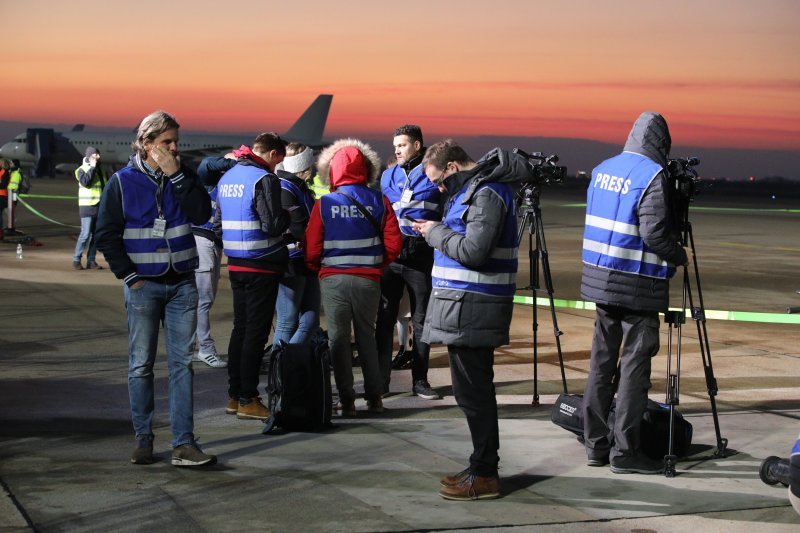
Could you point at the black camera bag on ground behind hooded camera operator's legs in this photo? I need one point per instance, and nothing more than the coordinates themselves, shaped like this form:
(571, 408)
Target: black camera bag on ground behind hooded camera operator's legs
(568, 414)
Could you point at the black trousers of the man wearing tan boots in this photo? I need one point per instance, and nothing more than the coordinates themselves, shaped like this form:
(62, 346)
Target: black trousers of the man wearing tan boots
(254, 296)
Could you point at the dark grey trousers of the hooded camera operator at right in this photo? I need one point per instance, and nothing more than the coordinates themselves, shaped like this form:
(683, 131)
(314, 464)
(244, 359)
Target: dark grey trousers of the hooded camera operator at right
(636, 333)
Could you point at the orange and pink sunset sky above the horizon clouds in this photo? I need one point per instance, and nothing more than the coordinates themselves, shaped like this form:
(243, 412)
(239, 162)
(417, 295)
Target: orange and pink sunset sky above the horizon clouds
(725, 73)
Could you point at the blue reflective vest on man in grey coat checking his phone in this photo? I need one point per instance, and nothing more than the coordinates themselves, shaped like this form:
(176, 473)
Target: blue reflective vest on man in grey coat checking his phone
(498, 275)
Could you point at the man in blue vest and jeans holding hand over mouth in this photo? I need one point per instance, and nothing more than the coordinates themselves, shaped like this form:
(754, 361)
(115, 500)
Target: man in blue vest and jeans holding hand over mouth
(144, 231)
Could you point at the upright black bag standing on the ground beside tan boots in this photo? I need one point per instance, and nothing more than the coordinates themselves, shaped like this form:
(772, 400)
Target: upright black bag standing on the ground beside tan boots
(299, 387)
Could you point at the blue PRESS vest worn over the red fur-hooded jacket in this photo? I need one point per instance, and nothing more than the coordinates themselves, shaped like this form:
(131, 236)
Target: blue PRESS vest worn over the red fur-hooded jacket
(350, 240)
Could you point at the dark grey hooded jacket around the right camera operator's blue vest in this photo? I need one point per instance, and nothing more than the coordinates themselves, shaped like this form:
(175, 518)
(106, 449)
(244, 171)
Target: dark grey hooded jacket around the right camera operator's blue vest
(649, 137)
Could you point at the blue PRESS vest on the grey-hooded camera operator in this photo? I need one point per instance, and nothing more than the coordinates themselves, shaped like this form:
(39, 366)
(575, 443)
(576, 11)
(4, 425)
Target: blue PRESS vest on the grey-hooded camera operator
(611, 238)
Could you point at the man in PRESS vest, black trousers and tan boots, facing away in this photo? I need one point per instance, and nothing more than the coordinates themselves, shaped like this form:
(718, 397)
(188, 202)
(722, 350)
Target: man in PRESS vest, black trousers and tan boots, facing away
(251, 222)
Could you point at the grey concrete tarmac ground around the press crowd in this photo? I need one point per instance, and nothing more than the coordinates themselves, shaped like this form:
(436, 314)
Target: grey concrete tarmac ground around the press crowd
(66, 436)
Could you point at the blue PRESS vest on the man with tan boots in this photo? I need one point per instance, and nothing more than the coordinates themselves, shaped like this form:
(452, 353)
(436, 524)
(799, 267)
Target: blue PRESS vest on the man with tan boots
(242, 236)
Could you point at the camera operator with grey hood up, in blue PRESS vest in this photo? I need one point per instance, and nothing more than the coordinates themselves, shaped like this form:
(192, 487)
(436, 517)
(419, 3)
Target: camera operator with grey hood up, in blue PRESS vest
(630, 249)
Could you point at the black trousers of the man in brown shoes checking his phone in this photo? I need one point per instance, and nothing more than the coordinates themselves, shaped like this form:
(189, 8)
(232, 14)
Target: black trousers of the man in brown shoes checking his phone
(472, 373)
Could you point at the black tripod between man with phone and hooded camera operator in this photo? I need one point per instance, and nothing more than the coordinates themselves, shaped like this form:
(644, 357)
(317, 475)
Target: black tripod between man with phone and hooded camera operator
(532, 218)
